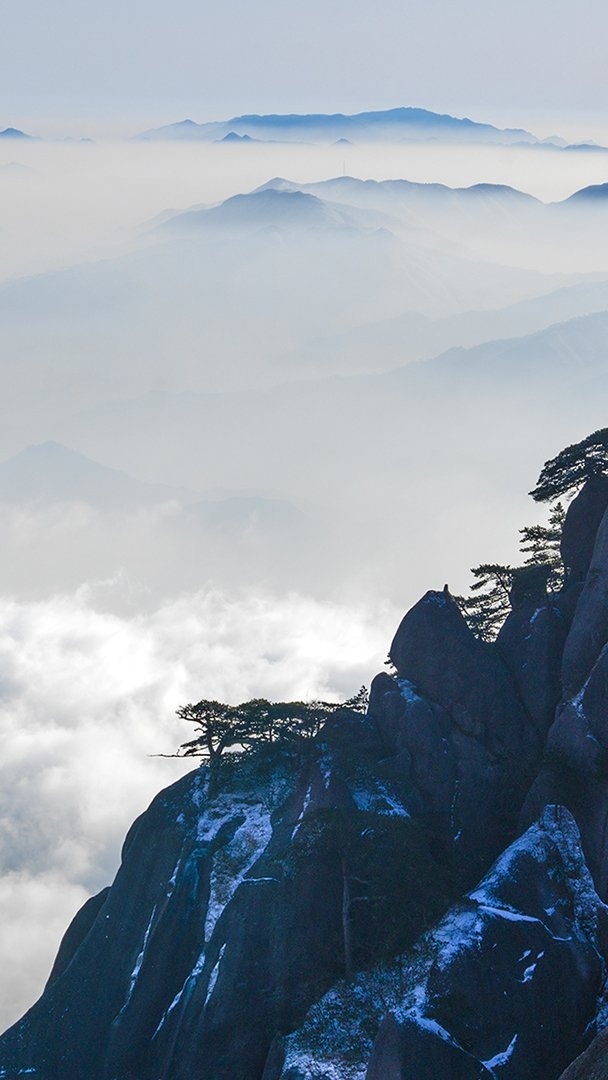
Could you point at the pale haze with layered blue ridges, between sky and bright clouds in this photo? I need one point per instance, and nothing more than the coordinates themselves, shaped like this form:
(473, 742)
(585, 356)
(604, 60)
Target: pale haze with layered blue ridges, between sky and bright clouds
(239, 346)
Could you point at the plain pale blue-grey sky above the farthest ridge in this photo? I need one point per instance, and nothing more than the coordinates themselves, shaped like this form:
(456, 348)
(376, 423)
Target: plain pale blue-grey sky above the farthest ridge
(94, 67)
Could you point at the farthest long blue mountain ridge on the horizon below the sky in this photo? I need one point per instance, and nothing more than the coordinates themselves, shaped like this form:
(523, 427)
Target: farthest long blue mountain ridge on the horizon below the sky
(404, 124)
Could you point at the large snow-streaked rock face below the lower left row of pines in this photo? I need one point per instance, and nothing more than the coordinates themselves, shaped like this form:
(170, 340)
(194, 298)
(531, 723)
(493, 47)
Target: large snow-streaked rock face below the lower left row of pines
(232, 913)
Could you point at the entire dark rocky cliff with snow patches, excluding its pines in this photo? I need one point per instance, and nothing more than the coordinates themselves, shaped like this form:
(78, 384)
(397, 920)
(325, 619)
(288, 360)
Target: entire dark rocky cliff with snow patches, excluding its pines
(418, 893)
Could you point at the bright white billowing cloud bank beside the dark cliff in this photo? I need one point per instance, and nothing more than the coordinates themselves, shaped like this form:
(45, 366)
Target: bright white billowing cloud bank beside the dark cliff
(86, 697)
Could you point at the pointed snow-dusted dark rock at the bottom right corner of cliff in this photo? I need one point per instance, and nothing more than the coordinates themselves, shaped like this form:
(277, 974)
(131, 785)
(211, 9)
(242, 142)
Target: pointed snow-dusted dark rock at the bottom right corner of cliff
(504, 987)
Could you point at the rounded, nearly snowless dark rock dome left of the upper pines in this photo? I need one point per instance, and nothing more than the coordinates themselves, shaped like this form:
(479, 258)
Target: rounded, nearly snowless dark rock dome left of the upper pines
(454, 715)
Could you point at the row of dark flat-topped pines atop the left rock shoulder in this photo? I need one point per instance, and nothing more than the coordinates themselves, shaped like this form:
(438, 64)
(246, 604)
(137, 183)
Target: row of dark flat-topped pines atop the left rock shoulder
(253, 724)
